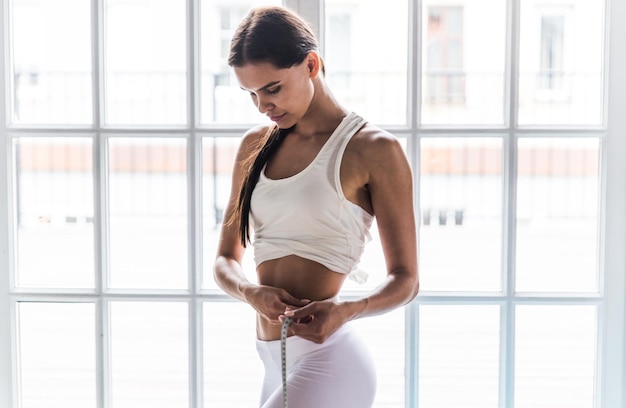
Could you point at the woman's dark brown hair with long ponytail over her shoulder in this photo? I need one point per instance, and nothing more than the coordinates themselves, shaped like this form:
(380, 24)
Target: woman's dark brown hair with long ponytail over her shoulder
(280, 37)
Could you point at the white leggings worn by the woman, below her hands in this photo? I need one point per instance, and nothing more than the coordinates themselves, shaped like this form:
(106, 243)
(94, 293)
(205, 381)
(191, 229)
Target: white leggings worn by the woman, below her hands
(338, 373)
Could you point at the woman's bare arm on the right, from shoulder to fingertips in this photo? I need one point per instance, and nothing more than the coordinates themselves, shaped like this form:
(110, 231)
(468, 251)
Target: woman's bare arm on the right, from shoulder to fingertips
(390, 185)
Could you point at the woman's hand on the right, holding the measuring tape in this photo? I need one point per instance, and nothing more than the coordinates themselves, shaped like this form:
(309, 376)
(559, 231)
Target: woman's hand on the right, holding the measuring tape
(315, 321)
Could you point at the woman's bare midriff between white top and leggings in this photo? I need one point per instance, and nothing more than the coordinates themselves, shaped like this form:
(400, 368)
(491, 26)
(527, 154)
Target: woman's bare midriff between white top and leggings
(302, 278)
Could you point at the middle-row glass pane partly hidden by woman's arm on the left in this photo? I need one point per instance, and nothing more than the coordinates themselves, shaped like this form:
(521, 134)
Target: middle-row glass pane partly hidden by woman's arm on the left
(218, 158)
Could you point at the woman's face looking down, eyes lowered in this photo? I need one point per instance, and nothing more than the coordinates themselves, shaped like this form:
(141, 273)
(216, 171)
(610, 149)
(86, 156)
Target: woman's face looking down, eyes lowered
(283, 94)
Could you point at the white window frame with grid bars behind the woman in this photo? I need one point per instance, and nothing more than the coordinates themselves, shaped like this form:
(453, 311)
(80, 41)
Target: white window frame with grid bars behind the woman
(611, 363)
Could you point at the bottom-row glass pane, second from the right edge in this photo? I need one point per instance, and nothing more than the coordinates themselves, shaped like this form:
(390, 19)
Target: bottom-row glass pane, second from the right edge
(459, 350)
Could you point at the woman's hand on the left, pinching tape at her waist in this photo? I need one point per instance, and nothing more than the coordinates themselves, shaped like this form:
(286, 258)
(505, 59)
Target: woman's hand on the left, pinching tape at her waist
(271, 302)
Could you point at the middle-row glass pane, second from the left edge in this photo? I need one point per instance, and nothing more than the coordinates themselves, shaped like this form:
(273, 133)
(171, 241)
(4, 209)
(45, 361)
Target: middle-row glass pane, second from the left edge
(148, 213)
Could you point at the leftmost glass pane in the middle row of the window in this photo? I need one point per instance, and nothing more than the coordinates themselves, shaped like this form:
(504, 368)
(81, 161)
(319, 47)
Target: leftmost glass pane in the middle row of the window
(54, 197)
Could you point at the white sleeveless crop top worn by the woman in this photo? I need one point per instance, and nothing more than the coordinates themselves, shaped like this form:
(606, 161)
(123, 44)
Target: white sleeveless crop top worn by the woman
(308, 215)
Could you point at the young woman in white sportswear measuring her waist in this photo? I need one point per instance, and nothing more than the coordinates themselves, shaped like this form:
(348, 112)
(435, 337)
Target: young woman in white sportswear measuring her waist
(308, 187)
